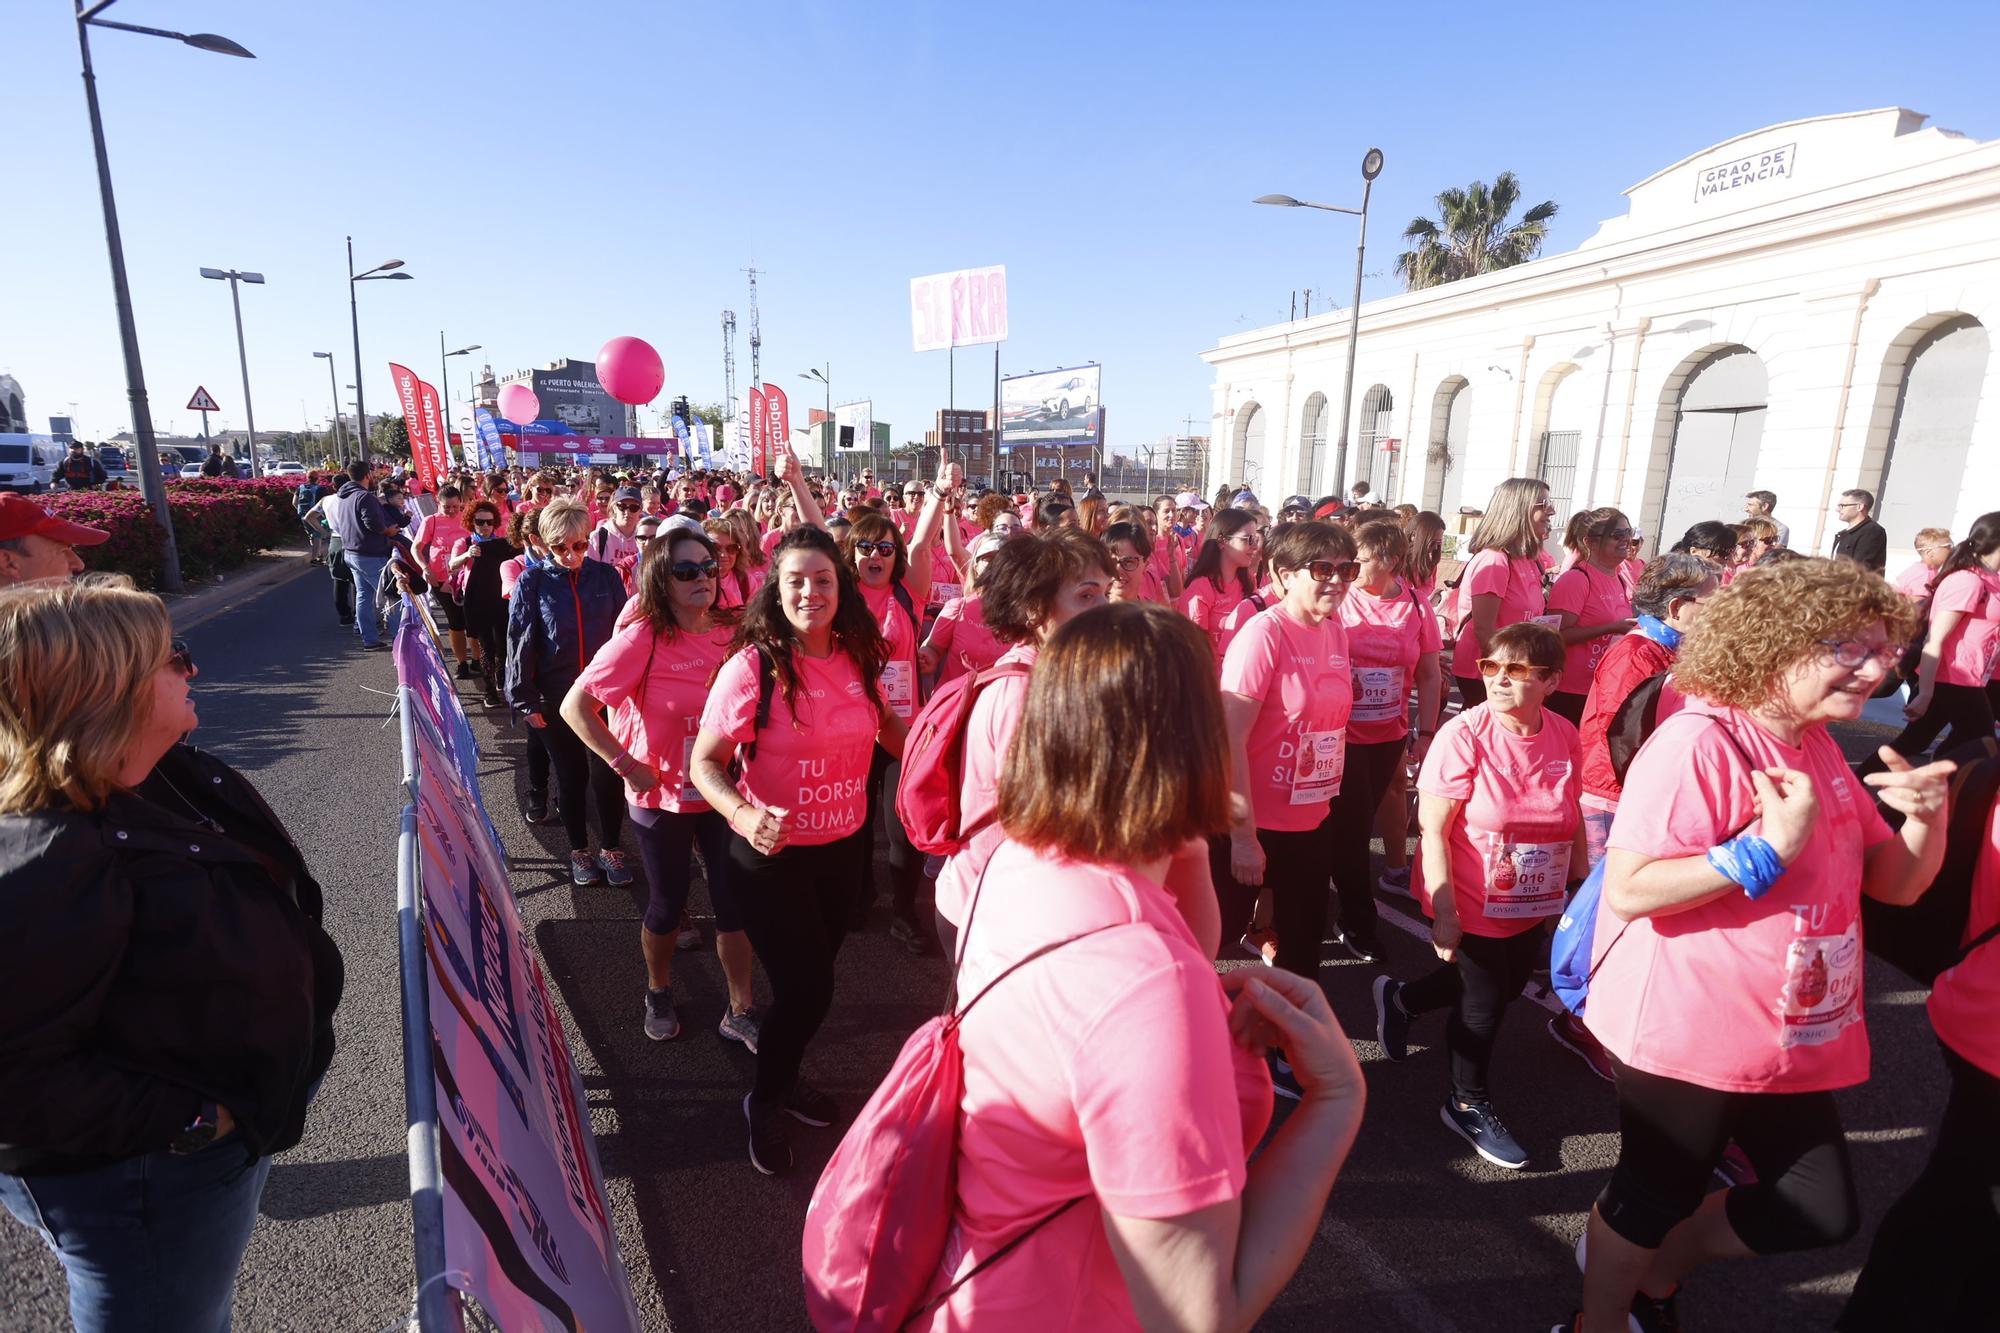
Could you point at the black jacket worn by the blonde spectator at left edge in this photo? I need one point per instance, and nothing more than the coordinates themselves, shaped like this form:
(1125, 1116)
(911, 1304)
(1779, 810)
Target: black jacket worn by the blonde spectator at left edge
(153, 966)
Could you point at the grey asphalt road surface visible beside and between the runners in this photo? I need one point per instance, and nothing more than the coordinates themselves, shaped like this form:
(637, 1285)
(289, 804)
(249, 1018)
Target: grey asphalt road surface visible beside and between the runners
(1421, 1236)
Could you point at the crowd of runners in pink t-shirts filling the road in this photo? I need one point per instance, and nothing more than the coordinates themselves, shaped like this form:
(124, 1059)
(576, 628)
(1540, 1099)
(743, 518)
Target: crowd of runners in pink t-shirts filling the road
(1123, 742)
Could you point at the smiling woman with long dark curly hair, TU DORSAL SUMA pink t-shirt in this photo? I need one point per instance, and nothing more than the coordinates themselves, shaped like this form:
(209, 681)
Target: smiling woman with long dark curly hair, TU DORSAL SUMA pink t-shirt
(801, 706)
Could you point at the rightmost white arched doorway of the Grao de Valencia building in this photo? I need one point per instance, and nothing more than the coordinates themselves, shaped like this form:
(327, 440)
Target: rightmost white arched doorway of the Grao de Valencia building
(1931, 437)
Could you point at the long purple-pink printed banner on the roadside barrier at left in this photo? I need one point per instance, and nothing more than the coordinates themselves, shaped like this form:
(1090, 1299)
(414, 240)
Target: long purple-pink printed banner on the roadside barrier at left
(525, 1224)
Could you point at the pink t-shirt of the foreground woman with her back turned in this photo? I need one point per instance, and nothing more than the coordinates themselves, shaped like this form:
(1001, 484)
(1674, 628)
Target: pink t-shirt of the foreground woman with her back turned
(1099, 1072)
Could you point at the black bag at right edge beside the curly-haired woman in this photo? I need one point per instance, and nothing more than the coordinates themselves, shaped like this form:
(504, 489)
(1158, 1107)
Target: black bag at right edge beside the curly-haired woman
(1923, 938)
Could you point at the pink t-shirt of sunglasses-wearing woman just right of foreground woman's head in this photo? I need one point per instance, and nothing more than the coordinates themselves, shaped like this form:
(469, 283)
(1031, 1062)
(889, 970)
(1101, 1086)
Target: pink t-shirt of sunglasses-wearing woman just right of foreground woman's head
(1299, 744)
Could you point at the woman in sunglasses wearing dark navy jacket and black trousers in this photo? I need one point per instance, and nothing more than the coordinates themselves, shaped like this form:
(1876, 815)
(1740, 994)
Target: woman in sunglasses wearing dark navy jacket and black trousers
(561, 617)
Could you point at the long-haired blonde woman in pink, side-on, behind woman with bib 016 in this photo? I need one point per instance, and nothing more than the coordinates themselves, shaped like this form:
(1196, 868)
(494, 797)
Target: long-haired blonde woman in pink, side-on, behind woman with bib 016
(1503, 581)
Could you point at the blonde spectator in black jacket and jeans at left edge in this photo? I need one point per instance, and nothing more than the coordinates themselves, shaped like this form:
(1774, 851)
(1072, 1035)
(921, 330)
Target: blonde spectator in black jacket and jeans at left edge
(169, 992)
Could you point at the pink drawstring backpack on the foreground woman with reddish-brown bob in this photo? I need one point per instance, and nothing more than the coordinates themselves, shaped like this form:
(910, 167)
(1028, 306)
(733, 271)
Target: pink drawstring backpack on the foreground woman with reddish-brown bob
(883, 1210)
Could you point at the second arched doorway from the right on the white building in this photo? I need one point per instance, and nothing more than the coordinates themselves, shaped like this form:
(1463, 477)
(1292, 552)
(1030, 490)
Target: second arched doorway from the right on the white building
(1719, 427)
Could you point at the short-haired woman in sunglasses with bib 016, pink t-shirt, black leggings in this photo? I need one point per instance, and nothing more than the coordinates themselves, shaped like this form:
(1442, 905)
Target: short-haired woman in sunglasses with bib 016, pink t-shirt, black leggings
(1503, 840)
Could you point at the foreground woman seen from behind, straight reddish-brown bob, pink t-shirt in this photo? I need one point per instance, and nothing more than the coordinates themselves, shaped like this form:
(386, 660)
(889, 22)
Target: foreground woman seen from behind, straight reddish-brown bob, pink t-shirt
(1115, 1070)
